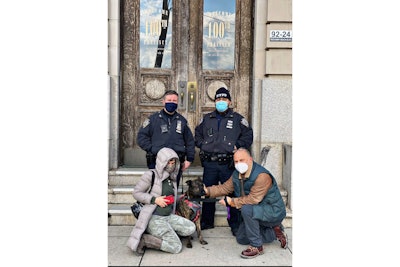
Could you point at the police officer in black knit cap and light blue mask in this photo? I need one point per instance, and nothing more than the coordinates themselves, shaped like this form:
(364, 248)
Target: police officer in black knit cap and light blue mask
(219, 135)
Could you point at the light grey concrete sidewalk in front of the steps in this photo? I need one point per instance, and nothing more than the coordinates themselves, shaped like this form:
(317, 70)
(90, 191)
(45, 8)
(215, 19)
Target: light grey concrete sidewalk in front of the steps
(221, 250)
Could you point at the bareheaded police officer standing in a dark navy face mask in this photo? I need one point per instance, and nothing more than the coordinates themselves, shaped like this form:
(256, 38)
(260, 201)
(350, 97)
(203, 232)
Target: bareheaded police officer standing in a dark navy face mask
(167, 128)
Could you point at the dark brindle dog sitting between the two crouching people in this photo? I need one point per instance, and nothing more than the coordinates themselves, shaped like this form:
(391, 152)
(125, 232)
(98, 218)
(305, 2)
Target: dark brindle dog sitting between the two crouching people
(191, 209)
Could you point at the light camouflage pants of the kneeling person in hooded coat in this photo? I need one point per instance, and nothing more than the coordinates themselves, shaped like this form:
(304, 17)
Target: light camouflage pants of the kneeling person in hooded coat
(168, 228)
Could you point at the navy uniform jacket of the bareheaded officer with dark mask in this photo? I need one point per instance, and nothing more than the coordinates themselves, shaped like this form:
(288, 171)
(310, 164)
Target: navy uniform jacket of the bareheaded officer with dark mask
(159, 131)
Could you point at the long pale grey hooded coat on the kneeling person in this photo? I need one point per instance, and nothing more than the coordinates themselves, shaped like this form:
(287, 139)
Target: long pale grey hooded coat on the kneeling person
(140, 193)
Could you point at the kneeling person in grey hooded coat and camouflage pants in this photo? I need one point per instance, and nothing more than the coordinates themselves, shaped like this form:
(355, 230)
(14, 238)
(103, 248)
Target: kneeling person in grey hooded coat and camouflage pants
(158, 226)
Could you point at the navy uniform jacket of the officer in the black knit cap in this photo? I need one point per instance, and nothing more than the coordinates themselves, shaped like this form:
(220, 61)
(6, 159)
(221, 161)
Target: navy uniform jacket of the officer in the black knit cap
(234, 130)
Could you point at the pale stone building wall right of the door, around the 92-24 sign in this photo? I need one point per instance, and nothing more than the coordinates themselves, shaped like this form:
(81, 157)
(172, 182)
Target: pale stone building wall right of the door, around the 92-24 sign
(272, 88)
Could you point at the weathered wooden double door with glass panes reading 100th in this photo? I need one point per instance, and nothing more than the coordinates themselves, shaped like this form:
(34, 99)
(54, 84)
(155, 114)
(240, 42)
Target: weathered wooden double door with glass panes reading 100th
(191, 46)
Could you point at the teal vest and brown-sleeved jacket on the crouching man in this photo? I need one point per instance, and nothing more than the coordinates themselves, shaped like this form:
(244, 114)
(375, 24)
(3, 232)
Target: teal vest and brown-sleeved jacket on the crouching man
(266, 197)
